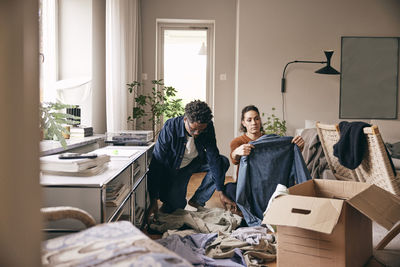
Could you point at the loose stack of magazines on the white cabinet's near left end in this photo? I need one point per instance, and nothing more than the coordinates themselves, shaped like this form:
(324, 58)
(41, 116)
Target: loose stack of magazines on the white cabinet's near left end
(74, 167)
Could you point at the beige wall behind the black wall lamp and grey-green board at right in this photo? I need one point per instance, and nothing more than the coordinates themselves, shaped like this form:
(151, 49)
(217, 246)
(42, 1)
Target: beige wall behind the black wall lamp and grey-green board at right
(274, 32)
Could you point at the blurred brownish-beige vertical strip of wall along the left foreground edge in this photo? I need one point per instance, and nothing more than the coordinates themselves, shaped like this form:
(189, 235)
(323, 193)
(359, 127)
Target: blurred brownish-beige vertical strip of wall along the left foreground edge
(20, 220)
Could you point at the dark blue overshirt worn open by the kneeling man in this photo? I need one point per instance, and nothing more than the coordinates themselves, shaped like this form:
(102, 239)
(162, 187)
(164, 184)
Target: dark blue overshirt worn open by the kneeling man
(170, 148)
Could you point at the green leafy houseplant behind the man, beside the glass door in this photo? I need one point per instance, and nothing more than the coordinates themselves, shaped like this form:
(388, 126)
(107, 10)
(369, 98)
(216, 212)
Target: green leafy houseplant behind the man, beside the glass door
(160, 102)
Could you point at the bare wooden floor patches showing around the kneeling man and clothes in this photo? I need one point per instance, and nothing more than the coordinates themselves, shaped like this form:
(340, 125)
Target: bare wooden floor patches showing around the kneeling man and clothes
(214, 202)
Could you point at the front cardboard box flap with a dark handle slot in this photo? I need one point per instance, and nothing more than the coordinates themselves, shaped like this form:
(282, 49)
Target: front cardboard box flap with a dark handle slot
(317, 214)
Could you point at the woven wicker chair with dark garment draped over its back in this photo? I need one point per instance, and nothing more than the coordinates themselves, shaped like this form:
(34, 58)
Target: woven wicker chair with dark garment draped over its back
(375, 167)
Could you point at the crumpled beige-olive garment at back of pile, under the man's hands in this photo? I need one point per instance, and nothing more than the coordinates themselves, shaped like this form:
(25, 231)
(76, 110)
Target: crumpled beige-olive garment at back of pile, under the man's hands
(203, 221)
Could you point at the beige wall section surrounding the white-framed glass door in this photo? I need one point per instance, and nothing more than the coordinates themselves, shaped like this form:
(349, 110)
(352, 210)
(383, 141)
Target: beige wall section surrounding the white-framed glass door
(224, 14)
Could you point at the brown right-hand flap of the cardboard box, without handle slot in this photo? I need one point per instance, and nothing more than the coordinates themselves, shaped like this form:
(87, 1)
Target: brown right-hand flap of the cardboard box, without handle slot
(379, 205)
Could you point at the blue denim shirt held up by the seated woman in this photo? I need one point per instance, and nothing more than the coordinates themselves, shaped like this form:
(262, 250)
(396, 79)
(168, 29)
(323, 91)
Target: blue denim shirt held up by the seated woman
(274, 160)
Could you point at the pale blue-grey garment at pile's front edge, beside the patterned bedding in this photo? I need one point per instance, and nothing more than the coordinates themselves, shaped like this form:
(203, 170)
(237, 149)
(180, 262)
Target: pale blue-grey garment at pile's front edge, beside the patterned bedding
(192, 248)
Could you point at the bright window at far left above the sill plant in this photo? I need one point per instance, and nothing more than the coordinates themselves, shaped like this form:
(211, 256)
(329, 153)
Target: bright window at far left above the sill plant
(66, 53)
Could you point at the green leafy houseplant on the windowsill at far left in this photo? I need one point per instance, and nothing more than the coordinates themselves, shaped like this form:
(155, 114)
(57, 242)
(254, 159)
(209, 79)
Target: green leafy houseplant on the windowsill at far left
(53, 121)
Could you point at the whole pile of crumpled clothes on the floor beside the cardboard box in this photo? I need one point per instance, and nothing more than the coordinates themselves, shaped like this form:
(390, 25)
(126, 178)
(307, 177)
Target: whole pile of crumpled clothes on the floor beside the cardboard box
(213, 237)
